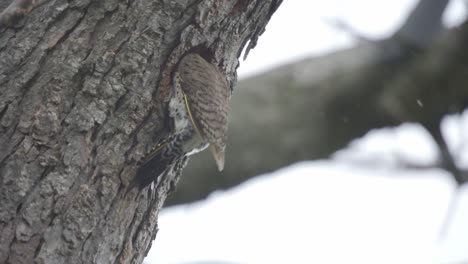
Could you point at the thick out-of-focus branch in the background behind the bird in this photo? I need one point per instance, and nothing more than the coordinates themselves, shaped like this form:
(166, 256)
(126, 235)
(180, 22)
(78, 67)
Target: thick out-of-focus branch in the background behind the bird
(312, 108)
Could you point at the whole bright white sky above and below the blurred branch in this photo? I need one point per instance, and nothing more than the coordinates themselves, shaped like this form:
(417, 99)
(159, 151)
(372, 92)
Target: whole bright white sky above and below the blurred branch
(339, 211)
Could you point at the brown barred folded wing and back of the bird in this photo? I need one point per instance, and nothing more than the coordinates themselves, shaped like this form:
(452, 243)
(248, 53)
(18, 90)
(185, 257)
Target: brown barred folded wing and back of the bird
(207, 95)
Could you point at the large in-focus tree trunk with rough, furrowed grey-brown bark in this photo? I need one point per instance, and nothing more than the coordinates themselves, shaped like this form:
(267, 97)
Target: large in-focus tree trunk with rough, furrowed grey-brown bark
(83, 88)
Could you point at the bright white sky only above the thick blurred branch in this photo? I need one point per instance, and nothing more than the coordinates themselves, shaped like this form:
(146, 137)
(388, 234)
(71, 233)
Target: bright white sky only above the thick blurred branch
(301, 28)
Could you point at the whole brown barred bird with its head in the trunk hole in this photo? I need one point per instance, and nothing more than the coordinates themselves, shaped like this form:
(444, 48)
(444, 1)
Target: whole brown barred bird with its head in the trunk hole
(199, 111)
